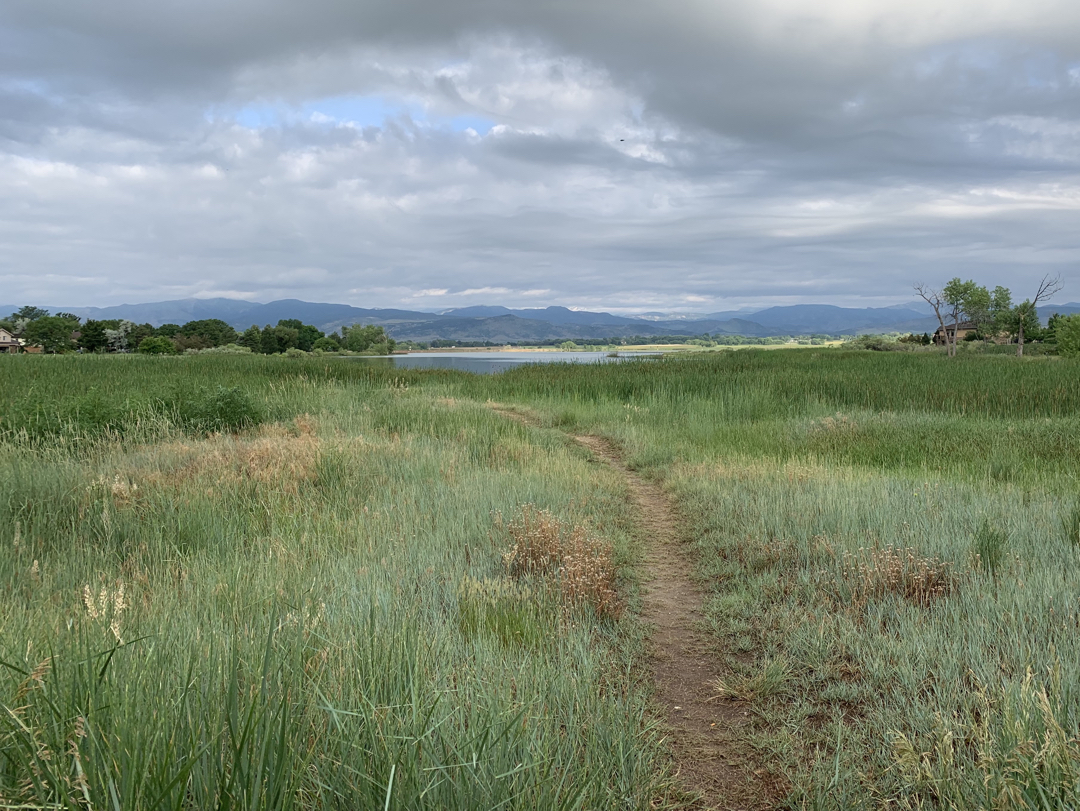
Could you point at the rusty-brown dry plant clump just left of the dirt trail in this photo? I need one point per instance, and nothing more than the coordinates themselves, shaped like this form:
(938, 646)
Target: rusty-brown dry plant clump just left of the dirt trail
(583, 567)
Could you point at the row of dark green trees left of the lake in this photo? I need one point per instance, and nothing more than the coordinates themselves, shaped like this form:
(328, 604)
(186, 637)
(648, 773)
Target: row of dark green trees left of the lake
(65, 332)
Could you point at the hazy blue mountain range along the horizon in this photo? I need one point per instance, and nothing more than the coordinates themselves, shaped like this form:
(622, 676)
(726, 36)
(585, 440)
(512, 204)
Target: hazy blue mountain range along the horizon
(501, 325)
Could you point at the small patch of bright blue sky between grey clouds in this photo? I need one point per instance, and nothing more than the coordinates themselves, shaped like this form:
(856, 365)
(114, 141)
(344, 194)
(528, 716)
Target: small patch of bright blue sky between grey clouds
(354, 112)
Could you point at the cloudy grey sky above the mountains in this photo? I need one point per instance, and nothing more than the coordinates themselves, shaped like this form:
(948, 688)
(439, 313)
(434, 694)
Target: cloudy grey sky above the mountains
(686, 156)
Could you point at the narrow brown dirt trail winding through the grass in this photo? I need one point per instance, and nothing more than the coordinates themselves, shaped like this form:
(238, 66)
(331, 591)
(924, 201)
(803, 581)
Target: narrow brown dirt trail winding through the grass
(713, 761)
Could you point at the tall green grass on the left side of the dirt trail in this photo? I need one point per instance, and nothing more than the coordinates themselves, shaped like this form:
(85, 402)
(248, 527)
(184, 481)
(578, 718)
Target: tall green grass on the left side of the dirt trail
(283, 618)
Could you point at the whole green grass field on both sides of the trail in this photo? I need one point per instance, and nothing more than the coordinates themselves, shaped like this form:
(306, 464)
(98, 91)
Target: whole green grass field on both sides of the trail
(262, 583)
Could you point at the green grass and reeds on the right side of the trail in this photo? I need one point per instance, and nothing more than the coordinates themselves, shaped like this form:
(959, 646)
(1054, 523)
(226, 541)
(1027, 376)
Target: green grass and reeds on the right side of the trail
(890, 544)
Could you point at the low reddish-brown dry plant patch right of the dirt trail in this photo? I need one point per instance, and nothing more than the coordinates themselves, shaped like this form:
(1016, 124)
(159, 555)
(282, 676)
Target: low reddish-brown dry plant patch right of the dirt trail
(873, 574)
